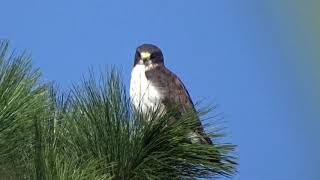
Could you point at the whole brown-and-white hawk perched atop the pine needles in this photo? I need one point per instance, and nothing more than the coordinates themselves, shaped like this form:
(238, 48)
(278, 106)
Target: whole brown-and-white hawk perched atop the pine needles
(152, 85)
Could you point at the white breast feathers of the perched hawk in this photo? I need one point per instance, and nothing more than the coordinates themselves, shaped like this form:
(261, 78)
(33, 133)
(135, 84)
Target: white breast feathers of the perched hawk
(143, 94)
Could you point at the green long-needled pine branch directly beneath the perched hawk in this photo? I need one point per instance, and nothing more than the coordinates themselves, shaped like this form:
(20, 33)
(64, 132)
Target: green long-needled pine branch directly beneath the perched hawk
(102, 125)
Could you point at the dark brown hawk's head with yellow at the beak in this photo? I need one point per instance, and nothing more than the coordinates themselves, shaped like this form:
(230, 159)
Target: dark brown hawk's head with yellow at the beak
(148, 54)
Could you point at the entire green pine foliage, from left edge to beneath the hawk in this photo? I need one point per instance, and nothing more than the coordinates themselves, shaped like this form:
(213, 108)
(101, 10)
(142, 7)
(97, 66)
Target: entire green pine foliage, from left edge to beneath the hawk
(92, 132)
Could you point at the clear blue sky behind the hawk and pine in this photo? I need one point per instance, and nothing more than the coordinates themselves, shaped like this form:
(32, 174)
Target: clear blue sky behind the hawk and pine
(259, 60)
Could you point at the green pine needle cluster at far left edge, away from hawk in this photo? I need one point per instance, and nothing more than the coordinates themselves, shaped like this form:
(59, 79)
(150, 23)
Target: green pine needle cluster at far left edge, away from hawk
(21, 101)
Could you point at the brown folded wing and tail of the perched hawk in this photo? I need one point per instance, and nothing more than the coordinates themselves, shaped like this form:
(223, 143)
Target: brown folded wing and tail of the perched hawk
(174, 93)
